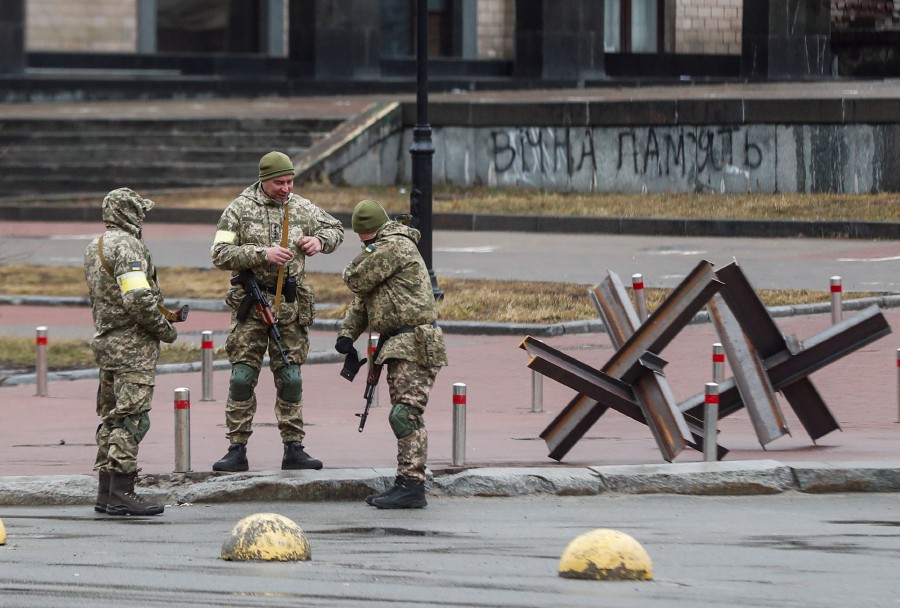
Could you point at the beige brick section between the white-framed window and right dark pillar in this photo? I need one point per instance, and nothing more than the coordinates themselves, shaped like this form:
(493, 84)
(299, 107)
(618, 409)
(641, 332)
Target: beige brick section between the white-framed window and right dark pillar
(708, 26)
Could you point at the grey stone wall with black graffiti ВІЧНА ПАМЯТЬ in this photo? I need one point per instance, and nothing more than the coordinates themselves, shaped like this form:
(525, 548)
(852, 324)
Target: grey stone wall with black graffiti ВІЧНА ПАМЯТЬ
(628, 154)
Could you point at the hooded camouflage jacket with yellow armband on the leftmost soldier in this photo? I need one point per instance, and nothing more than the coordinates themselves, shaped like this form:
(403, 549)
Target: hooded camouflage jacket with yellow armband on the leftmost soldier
(128, 324)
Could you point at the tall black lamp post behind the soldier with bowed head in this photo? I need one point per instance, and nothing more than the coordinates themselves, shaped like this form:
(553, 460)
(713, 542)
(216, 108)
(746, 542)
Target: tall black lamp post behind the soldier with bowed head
(422, 150)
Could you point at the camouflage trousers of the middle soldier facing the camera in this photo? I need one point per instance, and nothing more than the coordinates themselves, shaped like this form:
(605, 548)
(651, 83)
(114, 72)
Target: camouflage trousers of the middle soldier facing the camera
(248, 343)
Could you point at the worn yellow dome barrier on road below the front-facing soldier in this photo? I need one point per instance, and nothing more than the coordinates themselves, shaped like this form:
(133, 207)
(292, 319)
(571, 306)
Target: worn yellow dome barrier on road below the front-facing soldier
(266, 537)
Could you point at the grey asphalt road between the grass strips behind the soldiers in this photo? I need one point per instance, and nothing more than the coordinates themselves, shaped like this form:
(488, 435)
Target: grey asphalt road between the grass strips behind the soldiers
(663, 260)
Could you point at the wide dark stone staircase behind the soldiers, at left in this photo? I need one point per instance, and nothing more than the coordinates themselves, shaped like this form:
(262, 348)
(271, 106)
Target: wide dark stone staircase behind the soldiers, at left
(49, 158)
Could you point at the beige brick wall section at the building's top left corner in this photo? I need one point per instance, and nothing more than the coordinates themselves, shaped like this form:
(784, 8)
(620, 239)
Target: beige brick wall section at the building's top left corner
(108, 26)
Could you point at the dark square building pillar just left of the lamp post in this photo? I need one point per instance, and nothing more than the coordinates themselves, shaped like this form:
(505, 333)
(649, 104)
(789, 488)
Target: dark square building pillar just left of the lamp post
(334, 39)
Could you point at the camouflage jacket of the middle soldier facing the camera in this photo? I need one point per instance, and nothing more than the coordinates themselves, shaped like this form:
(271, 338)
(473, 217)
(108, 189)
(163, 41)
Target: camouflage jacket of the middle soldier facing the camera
(253, 221)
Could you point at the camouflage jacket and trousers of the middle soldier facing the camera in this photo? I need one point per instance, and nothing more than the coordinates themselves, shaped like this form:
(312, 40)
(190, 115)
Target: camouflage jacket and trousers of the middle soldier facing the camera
(251, 223)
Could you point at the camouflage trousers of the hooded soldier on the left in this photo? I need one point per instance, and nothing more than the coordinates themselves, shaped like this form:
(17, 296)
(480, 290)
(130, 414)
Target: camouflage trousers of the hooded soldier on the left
(124, 400)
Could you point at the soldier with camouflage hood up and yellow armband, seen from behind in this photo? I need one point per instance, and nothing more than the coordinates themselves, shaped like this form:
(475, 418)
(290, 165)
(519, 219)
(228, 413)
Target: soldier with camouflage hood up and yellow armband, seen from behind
(125, 301)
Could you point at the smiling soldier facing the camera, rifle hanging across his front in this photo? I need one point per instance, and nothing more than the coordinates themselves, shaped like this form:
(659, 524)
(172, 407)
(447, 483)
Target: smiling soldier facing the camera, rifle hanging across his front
(249, 236)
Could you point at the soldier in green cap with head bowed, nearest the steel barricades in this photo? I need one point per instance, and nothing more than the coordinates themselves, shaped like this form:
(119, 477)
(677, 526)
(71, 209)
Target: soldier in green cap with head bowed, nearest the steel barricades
(394, 298)
